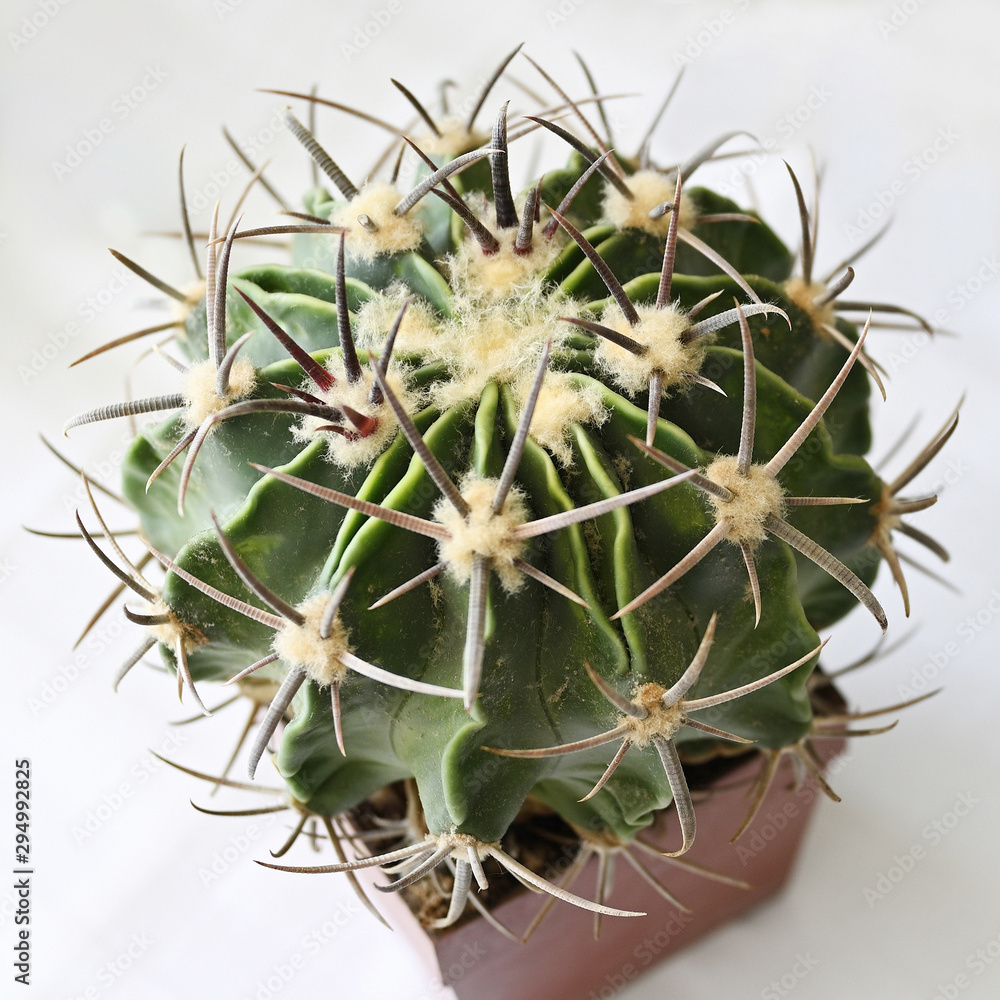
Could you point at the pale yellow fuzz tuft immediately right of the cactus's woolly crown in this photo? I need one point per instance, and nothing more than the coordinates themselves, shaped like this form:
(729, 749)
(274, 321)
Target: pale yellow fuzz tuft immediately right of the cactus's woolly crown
(660, 332)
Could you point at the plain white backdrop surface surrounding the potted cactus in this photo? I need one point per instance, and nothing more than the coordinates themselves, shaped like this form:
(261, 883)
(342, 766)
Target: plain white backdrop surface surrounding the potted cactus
(122, 903)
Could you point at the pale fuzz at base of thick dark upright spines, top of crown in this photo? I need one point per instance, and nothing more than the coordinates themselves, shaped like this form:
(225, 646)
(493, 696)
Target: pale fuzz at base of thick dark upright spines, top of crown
(503, 274)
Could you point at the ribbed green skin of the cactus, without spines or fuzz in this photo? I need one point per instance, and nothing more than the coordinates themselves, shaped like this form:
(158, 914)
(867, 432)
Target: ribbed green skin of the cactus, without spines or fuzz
(534, 690)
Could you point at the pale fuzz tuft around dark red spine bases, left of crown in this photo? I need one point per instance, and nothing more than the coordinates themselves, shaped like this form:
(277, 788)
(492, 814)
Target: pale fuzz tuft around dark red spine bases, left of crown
(357, 451)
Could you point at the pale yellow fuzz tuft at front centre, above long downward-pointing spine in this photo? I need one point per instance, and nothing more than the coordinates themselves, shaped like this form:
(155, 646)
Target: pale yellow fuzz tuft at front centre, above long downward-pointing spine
(483, 533)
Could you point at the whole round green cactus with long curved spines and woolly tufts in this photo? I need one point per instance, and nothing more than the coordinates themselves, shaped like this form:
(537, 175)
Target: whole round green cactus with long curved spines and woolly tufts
(510, 496)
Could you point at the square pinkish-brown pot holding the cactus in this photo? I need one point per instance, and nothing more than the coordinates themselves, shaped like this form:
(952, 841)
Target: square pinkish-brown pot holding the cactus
(563, 961)
